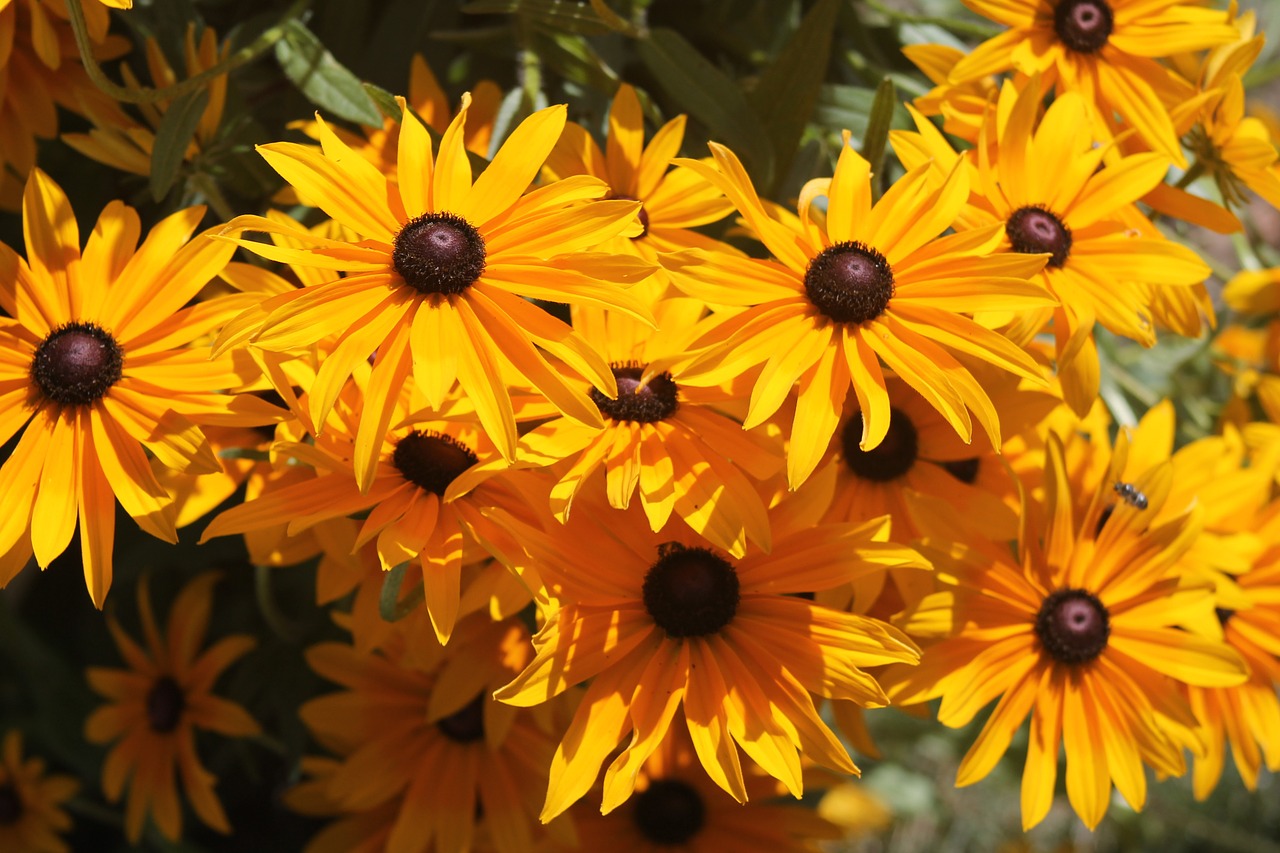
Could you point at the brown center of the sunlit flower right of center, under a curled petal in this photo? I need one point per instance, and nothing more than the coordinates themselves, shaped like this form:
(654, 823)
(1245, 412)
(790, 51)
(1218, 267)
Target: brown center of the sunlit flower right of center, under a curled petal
(849, 282)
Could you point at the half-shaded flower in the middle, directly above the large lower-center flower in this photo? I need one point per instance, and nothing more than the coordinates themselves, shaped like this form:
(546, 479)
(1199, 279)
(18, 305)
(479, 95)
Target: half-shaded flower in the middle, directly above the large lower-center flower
(665, 443)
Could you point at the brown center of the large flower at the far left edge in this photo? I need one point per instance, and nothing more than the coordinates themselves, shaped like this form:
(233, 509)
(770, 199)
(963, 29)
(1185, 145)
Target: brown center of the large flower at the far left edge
(77, 364)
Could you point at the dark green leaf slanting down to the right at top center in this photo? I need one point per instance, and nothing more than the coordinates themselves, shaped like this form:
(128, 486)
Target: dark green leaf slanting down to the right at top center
(708, 95)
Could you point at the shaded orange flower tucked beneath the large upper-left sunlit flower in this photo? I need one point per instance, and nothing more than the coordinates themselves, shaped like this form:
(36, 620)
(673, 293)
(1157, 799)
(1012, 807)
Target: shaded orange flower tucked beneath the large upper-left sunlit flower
(435, 485)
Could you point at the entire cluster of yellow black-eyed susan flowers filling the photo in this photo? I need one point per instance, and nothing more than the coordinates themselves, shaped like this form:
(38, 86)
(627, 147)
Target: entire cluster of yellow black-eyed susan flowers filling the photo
(602, 491)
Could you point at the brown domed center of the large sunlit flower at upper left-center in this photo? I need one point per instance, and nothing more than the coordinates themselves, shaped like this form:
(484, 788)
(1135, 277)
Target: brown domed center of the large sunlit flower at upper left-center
(440, 253)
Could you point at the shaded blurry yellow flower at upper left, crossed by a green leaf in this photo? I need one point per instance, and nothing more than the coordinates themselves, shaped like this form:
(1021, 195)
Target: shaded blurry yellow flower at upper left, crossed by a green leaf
(129, 145)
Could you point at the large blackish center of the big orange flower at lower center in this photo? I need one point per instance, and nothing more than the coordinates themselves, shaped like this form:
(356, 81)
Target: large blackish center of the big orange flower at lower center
(691, 592)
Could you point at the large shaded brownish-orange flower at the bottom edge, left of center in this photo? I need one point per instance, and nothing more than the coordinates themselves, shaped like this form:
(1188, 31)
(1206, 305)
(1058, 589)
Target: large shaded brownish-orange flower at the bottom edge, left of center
(422, 745)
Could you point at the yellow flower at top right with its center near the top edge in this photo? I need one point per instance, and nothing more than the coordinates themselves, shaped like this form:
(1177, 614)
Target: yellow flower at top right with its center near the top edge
(1107, 52)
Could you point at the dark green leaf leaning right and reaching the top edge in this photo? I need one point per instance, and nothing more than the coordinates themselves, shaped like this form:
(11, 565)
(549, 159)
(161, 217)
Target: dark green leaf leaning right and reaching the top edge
(789, 86)
